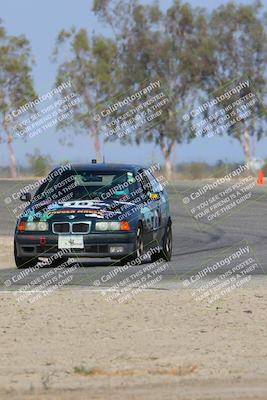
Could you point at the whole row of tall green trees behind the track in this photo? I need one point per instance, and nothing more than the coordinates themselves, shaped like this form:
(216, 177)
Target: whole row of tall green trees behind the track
(194, 52)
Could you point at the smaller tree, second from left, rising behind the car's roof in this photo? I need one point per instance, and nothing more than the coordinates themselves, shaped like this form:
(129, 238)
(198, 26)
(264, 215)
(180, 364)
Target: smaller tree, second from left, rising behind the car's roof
(90, 66)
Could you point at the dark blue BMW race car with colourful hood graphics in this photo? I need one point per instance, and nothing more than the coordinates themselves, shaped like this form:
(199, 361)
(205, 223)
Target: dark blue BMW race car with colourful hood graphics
(94, 210)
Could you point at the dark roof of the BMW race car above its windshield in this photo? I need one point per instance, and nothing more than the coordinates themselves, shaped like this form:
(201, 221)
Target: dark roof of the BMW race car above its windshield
(104, 167)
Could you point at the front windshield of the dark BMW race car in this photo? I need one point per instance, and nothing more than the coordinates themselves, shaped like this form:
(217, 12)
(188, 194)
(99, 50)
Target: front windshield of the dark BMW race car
(86, 184)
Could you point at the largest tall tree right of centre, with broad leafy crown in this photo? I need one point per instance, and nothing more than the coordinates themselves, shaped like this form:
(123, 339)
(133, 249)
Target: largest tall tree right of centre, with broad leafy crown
(155, 45)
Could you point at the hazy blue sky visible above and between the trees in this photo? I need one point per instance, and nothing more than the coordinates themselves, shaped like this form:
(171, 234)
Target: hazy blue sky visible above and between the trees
(41, 21)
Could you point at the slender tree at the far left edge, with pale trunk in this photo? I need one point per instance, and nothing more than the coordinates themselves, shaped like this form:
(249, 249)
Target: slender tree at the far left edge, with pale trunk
(16, 85)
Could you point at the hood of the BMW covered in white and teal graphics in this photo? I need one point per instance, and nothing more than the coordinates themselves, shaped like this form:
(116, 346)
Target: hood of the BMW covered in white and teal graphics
(82, 210)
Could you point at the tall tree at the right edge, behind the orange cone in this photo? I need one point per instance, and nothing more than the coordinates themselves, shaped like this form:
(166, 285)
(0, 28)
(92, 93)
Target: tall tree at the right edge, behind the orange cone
(239, 40)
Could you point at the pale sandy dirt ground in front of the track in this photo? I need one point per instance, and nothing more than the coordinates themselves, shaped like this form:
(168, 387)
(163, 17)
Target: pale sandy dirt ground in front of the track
(161, 344)
